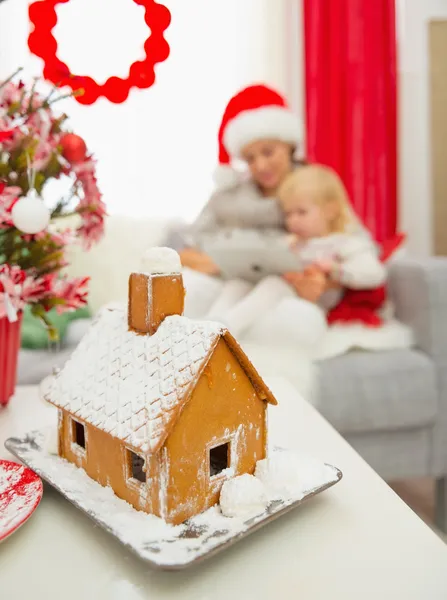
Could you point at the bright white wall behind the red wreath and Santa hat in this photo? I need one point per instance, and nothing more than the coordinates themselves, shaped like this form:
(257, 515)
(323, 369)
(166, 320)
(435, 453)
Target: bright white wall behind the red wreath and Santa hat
(157, 151)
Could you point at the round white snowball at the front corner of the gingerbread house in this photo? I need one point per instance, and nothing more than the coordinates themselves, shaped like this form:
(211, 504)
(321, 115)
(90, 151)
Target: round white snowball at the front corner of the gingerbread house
(243, 496)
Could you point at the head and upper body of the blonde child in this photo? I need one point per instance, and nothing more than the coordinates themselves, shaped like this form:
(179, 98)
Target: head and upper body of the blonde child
(325, 232)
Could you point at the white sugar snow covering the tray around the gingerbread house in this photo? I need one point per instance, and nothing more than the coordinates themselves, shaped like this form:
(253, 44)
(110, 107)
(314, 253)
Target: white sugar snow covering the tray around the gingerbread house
(147, 535)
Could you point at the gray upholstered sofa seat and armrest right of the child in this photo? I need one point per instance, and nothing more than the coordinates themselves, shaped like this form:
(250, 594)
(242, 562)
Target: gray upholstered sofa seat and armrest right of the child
(392, 406)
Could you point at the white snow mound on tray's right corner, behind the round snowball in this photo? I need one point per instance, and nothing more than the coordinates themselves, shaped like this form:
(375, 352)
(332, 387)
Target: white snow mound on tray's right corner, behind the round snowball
(288, 476)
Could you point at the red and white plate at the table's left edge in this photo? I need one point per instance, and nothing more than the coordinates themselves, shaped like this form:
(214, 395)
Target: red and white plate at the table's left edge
(20, 493)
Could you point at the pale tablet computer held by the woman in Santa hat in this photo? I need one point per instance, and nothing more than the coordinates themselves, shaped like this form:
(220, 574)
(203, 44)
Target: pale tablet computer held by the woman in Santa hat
(251, 257)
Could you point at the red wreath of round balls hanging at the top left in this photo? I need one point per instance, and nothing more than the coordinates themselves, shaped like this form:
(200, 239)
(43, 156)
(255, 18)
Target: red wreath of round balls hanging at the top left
(42, 43)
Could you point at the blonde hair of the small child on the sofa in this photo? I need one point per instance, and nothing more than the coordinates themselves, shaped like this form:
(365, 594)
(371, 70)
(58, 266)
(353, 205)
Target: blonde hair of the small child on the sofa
(322, 185)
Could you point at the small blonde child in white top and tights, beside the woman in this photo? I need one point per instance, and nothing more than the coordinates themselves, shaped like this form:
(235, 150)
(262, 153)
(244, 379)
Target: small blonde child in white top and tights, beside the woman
(328, 241)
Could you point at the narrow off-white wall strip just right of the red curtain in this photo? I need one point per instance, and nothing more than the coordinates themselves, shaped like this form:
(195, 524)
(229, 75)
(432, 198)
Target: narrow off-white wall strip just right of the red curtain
(414, 121)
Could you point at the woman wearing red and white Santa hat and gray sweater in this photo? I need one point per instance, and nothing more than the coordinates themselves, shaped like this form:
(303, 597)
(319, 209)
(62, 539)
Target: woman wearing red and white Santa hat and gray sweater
(259, 128)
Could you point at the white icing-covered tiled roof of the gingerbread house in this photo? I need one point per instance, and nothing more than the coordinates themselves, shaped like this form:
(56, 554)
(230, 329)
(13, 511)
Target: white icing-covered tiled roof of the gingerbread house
(135, 386)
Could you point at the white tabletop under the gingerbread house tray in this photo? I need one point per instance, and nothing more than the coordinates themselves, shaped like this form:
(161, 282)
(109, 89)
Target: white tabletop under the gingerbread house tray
(356, 541)
